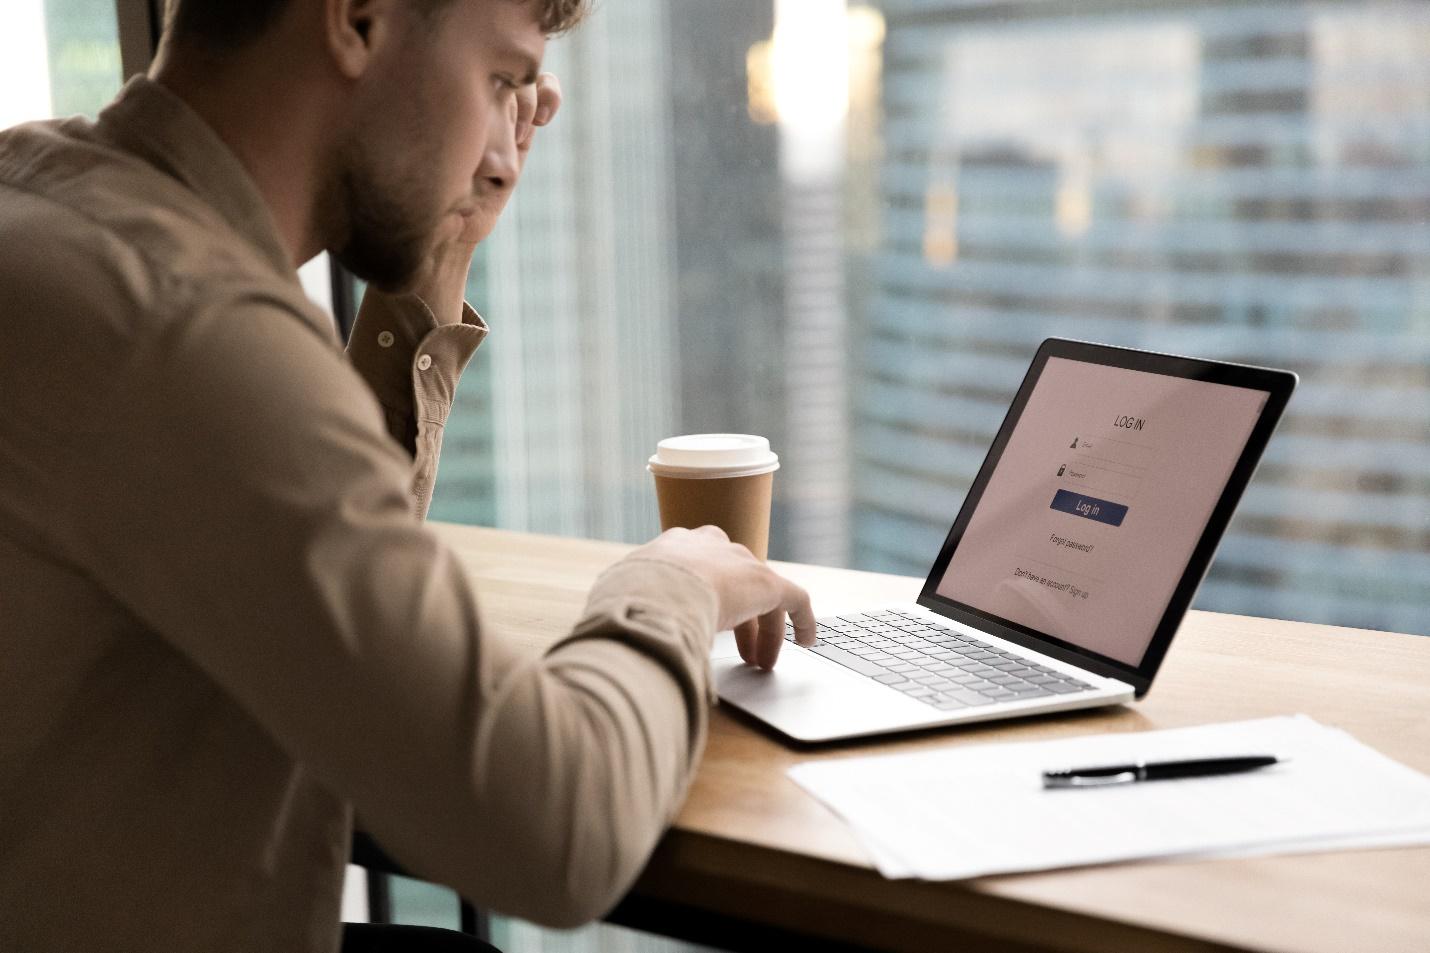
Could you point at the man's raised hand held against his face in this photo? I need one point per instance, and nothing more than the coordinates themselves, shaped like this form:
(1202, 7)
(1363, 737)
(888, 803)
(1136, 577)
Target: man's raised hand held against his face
(443, 283)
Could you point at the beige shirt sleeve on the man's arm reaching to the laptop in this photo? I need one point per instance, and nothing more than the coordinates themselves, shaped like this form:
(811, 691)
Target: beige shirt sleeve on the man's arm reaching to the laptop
(245, 503)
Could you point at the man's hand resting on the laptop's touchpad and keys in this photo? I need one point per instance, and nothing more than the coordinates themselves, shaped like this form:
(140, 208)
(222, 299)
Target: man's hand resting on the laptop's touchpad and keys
(753, 597)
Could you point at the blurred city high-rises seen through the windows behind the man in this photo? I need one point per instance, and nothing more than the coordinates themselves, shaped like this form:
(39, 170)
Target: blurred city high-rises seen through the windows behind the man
(847, 227)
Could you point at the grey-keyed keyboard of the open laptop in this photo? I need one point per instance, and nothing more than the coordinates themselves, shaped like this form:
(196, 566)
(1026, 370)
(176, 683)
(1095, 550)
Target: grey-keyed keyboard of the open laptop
(935, 665)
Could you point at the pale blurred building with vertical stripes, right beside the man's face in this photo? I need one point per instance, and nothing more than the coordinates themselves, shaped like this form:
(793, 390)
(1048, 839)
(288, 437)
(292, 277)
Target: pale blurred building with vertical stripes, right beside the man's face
(573, 388)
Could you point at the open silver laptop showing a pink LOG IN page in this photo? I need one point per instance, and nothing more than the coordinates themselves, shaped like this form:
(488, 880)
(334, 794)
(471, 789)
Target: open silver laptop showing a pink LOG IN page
(1065, 577)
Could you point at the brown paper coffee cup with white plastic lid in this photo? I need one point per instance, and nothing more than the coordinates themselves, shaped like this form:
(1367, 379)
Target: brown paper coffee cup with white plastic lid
(723, 480)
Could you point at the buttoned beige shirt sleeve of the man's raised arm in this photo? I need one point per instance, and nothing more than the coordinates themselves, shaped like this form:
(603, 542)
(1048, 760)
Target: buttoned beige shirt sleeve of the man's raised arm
(413, 364)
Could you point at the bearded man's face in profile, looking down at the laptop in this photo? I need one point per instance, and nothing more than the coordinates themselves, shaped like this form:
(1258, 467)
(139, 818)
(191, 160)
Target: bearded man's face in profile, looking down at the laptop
(411, 165)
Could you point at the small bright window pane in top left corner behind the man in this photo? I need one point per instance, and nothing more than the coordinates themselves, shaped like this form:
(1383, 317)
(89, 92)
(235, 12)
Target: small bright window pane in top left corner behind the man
(58, 58)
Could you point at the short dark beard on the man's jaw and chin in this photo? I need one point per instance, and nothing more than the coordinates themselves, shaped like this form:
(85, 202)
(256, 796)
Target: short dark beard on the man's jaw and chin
(383, 235)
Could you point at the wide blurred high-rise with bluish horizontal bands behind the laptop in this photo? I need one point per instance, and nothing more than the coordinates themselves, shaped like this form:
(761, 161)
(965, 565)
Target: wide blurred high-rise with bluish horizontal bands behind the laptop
(1231, 181)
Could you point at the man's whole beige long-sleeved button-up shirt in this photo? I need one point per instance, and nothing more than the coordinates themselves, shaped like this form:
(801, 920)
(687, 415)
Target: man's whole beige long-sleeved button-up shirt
(222, 622)
